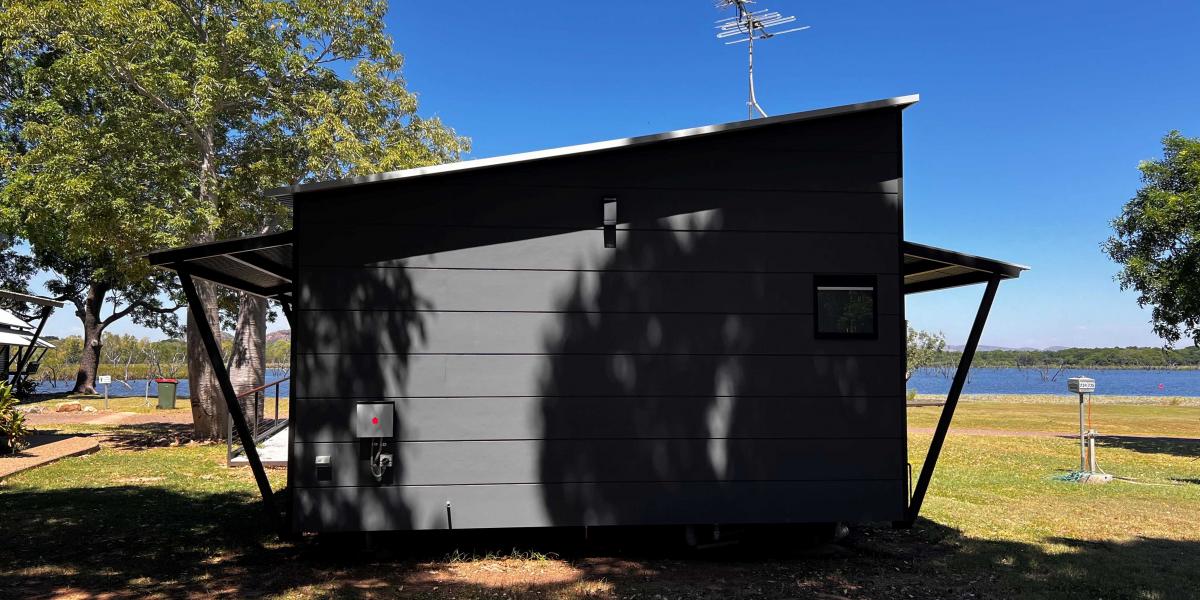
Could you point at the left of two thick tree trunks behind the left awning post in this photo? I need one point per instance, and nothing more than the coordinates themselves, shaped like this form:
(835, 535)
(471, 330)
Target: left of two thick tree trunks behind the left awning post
(209, 411)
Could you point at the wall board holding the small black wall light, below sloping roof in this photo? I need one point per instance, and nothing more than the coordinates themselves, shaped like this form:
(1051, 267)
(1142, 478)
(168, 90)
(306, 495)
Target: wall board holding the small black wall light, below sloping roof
(574, 208)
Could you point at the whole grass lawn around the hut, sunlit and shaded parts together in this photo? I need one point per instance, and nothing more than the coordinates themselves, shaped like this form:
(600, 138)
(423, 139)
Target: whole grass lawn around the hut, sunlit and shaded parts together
(173, 521)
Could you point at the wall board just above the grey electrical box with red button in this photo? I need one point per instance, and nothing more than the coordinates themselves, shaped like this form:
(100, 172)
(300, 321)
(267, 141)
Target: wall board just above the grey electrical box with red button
(437, 376)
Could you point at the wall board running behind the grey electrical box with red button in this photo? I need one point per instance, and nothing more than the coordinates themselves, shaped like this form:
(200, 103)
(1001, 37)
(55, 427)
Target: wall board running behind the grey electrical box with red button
(592, 418)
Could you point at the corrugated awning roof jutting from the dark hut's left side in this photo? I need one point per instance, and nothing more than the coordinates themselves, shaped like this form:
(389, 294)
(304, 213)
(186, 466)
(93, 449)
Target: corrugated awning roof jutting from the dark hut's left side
(257, 265)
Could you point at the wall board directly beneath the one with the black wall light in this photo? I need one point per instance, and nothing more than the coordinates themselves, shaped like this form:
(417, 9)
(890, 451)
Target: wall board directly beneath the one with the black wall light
(466, 248)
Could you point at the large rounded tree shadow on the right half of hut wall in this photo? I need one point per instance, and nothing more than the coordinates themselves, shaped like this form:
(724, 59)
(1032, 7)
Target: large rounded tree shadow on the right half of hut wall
(669, 383)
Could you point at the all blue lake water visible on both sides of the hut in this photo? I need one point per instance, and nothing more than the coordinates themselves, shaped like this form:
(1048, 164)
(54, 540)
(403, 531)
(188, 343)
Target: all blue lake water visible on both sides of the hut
(982, 381)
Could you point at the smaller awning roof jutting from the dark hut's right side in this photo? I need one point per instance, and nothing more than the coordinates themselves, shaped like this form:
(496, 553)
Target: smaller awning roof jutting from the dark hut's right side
(927, 268)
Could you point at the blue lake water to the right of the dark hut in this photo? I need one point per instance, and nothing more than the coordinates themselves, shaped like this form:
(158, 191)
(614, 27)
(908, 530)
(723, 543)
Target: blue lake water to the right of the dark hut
(1109, 382)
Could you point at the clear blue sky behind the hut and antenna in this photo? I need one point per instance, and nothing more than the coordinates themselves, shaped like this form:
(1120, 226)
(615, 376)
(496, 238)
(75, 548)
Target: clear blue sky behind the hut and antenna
(1025, 145)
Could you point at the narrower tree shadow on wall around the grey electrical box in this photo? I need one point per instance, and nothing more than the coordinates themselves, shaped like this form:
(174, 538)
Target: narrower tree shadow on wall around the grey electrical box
(356, 337)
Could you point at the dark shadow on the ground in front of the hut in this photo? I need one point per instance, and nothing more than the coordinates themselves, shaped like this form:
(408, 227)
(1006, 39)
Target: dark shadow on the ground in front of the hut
(145, 541)
